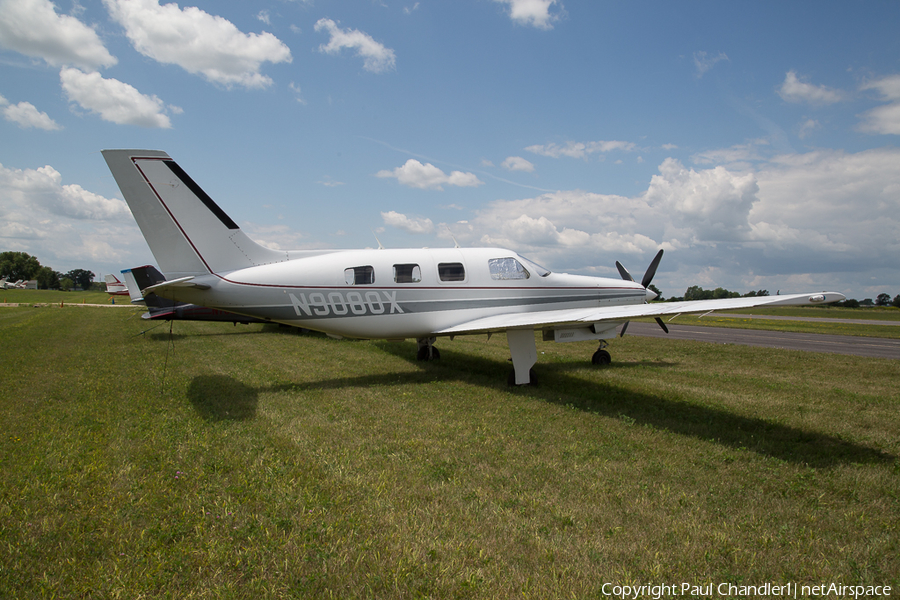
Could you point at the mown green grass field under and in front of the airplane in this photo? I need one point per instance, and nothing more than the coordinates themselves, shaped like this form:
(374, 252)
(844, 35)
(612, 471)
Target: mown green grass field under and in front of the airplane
(254, 462)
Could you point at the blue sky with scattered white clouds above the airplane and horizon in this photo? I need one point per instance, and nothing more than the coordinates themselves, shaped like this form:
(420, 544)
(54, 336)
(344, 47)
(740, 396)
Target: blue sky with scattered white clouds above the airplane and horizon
(756, 142)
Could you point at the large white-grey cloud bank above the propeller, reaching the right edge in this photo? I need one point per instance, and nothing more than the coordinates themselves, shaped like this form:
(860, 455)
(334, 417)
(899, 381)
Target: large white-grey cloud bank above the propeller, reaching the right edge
(795, 219)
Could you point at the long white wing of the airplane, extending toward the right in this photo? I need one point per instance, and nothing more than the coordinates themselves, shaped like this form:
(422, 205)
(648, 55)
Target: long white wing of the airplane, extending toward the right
(581, 317)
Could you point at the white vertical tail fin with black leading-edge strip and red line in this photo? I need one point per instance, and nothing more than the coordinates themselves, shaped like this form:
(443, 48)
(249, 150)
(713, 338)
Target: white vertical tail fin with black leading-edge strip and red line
(187, 232)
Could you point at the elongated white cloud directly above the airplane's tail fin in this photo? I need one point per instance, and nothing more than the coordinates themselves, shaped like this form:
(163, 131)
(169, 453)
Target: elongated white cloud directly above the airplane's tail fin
(113, 100)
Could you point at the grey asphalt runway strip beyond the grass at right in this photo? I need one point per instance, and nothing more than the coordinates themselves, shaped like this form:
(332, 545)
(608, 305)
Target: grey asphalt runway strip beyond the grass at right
(810, 342)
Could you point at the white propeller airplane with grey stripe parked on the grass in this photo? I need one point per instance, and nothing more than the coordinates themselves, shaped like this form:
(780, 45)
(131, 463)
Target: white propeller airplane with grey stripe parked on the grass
(383, 294)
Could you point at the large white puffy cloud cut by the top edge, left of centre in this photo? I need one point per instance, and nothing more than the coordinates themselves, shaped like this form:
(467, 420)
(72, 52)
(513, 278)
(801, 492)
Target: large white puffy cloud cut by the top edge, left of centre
(198, 42)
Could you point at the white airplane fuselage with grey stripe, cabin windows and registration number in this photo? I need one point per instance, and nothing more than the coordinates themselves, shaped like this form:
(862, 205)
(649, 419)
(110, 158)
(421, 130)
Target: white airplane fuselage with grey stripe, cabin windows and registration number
(408, 293)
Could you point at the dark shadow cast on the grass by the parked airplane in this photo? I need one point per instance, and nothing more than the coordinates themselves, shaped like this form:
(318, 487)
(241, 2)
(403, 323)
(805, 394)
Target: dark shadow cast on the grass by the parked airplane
(220, 397)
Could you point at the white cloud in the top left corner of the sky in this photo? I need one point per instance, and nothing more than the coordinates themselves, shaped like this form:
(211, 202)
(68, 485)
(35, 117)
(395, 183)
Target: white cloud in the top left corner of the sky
(33, 28)
